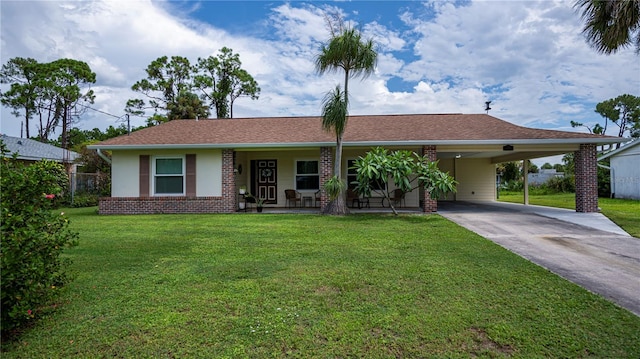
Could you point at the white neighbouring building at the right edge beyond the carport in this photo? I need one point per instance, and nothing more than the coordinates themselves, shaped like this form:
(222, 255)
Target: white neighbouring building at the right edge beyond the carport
(625, 170)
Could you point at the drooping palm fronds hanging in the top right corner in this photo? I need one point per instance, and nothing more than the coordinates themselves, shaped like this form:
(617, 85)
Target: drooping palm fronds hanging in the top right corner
(611, 24)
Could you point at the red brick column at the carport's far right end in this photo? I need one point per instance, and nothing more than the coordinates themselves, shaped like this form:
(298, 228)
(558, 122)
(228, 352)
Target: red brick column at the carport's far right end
(586, 171)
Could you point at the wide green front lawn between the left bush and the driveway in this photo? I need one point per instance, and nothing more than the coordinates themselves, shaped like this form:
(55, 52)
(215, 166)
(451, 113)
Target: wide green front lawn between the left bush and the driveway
(309, 286)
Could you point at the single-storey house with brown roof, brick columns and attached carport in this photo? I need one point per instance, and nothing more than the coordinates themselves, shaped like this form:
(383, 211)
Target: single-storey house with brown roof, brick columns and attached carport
(191, 166)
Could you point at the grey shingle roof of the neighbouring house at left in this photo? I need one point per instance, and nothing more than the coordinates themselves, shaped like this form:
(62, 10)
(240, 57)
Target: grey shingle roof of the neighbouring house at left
(31, 150)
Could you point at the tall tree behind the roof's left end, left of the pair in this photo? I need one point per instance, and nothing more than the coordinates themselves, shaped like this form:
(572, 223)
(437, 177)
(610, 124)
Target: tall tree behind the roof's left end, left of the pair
(168, 88)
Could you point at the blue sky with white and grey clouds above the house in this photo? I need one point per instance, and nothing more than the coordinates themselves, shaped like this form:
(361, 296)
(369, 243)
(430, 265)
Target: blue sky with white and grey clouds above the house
(529, 58)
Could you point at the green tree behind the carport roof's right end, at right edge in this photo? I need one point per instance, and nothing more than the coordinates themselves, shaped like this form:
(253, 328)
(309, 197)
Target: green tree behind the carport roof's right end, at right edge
(623, 111)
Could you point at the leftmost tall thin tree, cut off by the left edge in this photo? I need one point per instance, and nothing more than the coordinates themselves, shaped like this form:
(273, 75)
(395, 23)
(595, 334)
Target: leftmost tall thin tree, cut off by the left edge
(21, 73)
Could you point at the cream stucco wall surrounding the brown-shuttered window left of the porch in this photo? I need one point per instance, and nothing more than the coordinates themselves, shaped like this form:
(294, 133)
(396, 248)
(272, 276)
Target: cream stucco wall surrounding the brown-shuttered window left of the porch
(125, 171)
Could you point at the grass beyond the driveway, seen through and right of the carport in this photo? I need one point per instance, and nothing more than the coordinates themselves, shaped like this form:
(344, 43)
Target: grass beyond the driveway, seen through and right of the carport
(624, 212)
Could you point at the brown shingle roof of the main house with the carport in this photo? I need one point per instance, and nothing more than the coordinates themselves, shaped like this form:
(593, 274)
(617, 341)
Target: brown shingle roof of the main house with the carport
(298, 131)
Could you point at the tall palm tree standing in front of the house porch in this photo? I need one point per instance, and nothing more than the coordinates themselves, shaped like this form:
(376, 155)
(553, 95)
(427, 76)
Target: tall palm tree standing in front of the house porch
(345, 51)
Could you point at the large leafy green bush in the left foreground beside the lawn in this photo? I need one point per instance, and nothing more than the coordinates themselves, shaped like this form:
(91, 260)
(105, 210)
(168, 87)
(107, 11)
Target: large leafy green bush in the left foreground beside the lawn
(33, 239)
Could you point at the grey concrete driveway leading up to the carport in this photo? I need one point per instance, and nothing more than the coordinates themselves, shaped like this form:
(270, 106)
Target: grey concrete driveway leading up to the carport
(585, 248)
